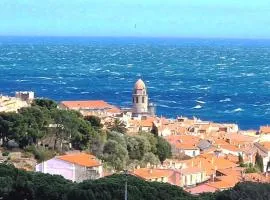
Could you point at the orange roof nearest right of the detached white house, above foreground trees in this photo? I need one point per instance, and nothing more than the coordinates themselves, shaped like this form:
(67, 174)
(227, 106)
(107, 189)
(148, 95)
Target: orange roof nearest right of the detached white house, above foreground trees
(147, 174)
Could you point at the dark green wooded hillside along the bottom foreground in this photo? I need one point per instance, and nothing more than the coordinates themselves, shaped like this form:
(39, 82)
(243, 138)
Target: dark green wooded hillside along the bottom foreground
(22, 185)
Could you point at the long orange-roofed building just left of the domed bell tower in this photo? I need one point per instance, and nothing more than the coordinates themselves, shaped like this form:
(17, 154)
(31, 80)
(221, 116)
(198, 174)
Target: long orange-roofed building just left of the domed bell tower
(91, 107)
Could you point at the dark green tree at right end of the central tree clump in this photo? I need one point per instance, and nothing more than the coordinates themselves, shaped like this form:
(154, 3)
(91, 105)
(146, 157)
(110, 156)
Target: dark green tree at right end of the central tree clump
(163, 149)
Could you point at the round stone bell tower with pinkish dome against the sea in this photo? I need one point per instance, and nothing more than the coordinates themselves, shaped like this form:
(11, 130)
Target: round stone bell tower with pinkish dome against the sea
(140, 98)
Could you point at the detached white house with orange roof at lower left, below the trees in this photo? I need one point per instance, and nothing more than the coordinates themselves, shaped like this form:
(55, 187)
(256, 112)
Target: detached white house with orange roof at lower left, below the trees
(75, 167)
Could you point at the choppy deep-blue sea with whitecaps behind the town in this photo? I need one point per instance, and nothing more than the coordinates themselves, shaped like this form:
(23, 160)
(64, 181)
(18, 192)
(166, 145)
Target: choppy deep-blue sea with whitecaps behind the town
(222, 80)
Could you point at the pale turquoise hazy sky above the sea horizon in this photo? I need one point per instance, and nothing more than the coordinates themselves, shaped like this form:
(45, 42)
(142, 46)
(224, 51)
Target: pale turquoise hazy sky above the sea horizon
(169, 18)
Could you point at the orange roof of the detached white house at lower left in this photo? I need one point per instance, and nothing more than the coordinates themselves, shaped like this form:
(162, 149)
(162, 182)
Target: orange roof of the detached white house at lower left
(82, 159)
